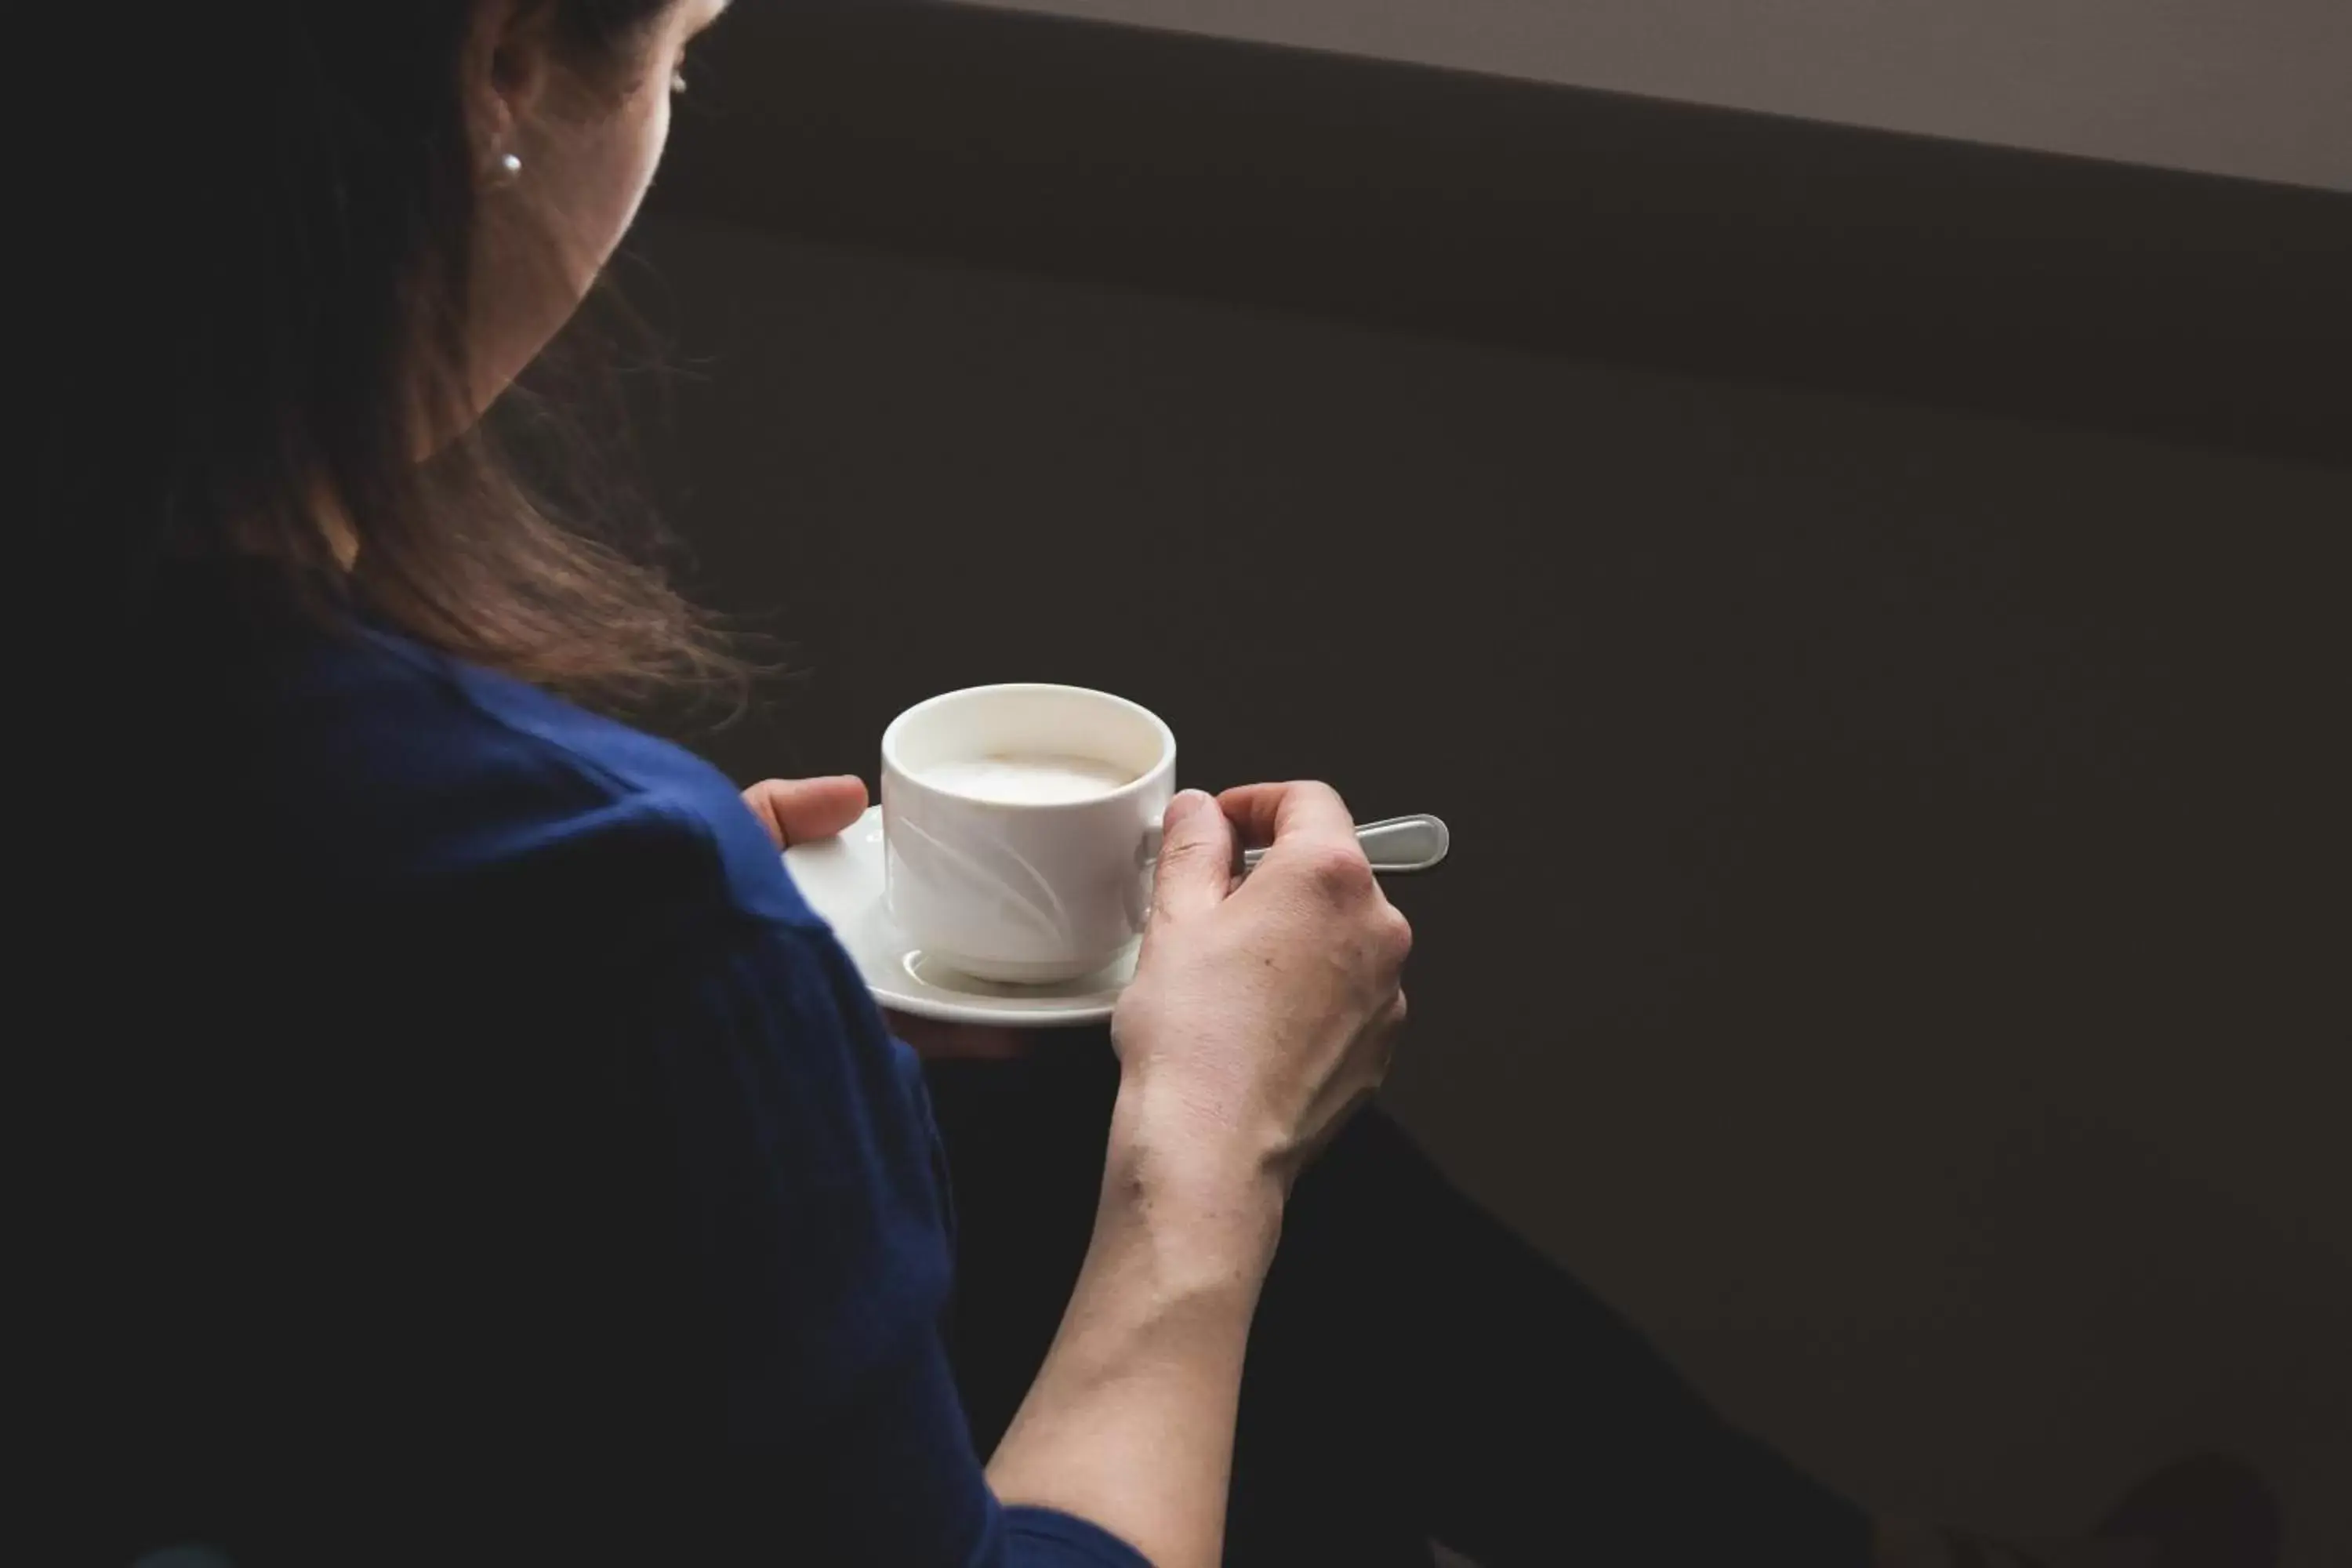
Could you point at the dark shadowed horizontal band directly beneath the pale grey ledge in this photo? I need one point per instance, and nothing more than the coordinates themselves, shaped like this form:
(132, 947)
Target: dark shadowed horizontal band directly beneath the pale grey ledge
(1551, 220)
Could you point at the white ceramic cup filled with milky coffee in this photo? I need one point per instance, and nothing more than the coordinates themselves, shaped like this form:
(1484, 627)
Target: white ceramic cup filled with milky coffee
(1020, 829)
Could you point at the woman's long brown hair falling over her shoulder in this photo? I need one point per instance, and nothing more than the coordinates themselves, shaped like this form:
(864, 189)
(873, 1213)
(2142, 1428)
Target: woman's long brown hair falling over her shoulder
(239, 311)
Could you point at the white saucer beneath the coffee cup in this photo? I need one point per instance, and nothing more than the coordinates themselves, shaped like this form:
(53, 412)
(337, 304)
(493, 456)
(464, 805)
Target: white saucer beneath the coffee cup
(843, 883)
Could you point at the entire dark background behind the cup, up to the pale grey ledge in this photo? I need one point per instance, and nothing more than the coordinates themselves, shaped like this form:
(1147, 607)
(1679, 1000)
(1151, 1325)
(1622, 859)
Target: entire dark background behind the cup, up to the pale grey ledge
(1897, 932)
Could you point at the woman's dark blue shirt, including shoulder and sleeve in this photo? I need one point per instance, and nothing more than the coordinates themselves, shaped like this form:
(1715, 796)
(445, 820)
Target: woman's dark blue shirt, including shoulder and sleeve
(488, 1151)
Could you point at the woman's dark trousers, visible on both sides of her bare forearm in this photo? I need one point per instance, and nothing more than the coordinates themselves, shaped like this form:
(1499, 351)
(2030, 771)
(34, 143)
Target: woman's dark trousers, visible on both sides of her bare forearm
(1415, 1374)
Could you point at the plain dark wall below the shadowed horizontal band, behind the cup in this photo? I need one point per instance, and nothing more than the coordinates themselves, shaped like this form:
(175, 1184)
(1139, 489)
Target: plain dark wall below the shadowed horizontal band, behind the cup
(1897, 934)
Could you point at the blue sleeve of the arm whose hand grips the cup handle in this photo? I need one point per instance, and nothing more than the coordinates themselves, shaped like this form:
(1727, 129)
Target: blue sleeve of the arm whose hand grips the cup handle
(817, 1264)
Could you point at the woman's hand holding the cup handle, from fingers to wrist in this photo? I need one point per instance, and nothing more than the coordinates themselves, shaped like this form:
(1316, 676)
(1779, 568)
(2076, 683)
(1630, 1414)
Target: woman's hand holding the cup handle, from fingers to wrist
(1264, 1010)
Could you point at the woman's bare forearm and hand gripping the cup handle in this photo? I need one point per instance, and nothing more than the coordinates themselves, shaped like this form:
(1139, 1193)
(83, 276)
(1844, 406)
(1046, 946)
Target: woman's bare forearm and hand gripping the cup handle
(1259, 1017)
